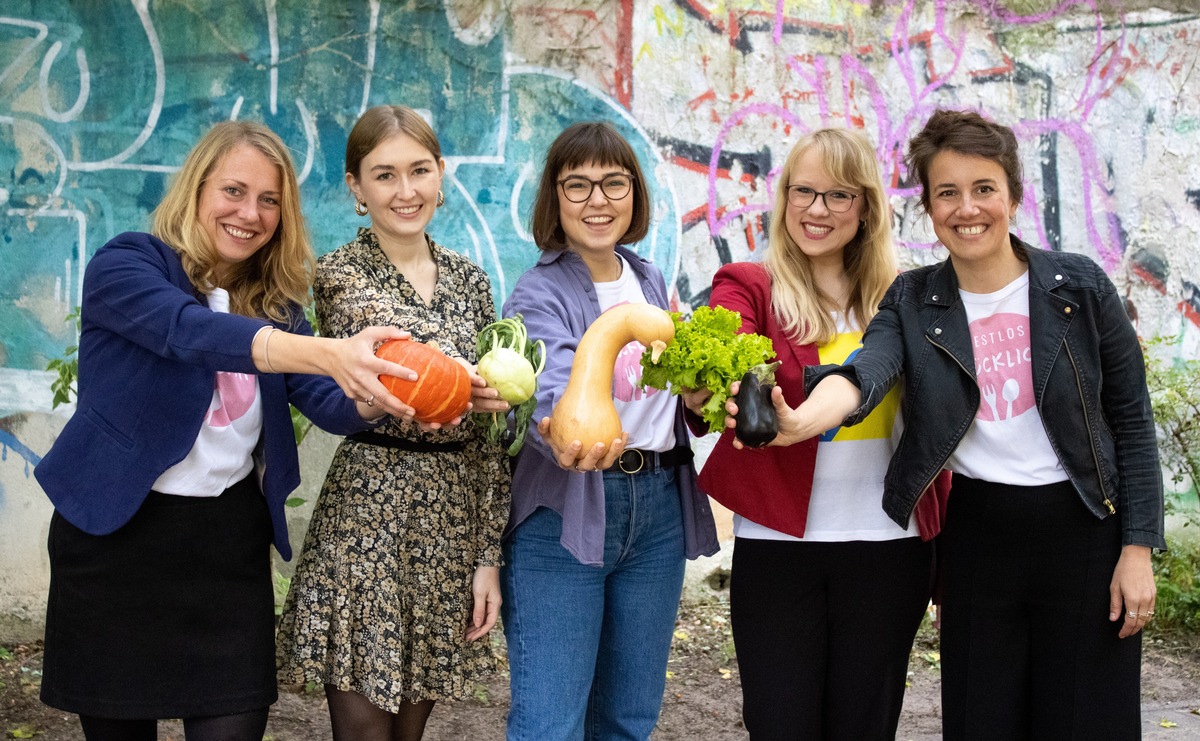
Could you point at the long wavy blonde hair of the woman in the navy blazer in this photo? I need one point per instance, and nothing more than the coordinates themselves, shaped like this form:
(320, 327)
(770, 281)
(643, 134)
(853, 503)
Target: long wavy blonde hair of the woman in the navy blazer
(274, 280)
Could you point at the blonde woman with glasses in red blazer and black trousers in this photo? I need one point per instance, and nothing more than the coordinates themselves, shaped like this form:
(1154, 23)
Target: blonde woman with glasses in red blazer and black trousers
(826, 592)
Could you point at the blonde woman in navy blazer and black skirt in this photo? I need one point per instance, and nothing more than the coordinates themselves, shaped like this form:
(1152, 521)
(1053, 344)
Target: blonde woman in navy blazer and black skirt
(170, 480)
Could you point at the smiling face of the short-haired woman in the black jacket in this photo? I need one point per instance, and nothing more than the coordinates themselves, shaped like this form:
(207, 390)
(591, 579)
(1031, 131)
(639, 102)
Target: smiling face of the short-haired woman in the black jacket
(971, 208)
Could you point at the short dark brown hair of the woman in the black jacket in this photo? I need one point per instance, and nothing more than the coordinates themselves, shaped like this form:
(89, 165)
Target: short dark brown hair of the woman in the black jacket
(967, 134)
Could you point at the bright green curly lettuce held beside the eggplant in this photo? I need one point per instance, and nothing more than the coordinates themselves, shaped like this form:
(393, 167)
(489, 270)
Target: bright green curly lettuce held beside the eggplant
(707, 353)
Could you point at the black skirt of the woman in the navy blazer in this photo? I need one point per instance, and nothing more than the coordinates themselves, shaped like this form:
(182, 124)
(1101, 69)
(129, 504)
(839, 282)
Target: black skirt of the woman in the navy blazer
(171, 617)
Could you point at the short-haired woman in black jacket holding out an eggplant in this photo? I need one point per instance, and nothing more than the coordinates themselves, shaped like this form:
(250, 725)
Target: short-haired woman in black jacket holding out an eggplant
(1024, 377)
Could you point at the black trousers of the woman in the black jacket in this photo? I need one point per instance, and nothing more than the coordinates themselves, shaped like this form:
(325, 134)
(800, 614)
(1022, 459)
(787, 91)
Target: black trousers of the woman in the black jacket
(1028, 649)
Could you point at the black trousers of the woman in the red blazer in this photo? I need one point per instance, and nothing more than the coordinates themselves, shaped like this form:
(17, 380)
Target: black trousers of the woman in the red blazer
(824, 632)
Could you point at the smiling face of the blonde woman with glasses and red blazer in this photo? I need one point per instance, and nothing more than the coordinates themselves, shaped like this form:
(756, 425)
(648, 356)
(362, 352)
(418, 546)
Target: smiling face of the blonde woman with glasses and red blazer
(820, 233)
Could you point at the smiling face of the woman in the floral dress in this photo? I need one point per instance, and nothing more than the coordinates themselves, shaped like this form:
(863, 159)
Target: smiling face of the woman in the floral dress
(399, 182)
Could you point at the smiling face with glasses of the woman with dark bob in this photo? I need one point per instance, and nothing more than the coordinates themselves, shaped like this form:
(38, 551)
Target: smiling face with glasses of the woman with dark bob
(595, 226)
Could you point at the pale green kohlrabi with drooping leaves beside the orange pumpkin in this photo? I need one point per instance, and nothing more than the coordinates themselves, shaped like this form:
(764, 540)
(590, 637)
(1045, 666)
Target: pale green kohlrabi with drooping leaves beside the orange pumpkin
(511, 364)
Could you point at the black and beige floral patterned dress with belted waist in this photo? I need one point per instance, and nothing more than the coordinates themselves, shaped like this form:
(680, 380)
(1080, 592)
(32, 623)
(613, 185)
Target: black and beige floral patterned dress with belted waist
(381, 598)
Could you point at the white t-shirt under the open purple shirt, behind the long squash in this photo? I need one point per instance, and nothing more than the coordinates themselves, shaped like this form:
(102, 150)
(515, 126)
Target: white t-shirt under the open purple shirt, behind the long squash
(646, 414)
